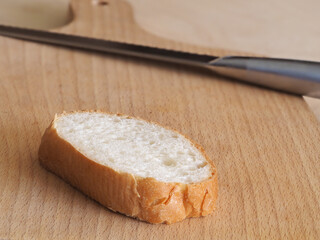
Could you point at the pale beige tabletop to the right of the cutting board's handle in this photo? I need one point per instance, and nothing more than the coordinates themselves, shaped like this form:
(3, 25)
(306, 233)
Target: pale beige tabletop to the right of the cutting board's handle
(284, 29)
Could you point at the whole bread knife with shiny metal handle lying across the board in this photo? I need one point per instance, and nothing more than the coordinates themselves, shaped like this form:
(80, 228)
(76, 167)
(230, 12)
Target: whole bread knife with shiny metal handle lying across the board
(288, 75)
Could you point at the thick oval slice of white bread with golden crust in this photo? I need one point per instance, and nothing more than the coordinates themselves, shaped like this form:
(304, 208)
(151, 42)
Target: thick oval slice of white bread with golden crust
(131, 166)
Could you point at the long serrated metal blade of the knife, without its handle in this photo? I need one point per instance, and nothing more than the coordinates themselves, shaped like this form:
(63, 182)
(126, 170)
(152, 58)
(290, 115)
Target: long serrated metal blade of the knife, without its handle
(106, 46)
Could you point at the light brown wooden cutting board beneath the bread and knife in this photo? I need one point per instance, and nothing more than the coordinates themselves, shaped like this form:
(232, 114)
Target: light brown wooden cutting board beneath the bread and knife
(265, 144)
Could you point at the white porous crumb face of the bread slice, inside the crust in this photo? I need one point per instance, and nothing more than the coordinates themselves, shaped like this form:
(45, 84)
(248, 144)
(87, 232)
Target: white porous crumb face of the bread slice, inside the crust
(134, 146)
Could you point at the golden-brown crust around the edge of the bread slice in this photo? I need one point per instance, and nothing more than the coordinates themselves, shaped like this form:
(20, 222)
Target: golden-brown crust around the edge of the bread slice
(144, 198)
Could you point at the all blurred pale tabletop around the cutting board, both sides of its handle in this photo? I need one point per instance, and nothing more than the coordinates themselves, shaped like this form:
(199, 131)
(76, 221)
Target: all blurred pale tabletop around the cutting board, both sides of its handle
(284, 29)
